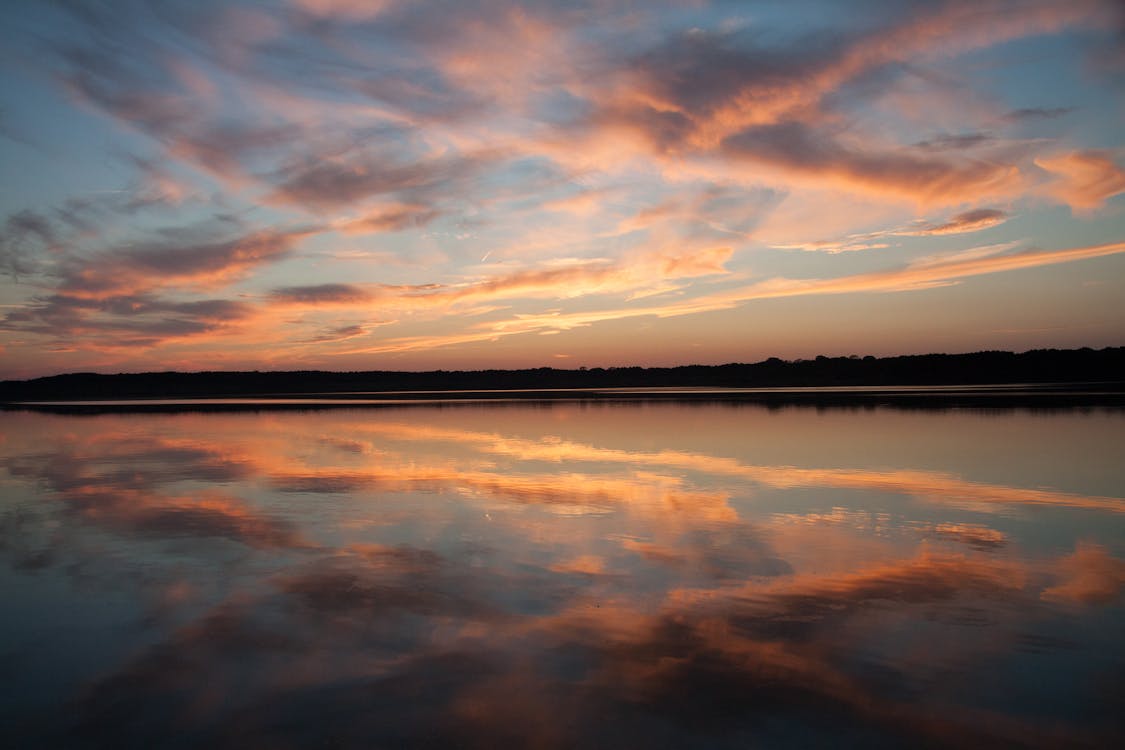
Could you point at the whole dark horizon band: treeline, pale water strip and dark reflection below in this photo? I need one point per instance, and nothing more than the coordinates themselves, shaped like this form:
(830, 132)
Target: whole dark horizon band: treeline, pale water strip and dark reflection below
(1041, 377)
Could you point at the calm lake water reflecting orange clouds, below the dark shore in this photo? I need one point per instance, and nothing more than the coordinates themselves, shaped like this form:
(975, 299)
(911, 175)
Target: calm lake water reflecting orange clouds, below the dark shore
(568, 575)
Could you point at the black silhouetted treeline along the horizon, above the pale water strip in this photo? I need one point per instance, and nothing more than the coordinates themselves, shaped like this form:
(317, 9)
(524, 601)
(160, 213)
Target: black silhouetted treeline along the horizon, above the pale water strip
(1082, 366)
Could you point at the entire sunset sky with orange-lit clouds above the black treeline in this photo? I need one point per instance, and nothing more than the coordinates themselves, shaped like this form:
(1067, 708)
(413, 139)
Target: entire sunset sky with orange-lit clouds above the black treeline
(357, 185)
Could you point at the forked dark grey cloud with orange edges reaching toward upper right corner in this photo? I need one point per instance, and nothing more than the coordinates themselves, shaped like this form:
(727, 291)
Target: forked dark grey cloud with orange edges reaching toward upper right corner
(700, 89)
